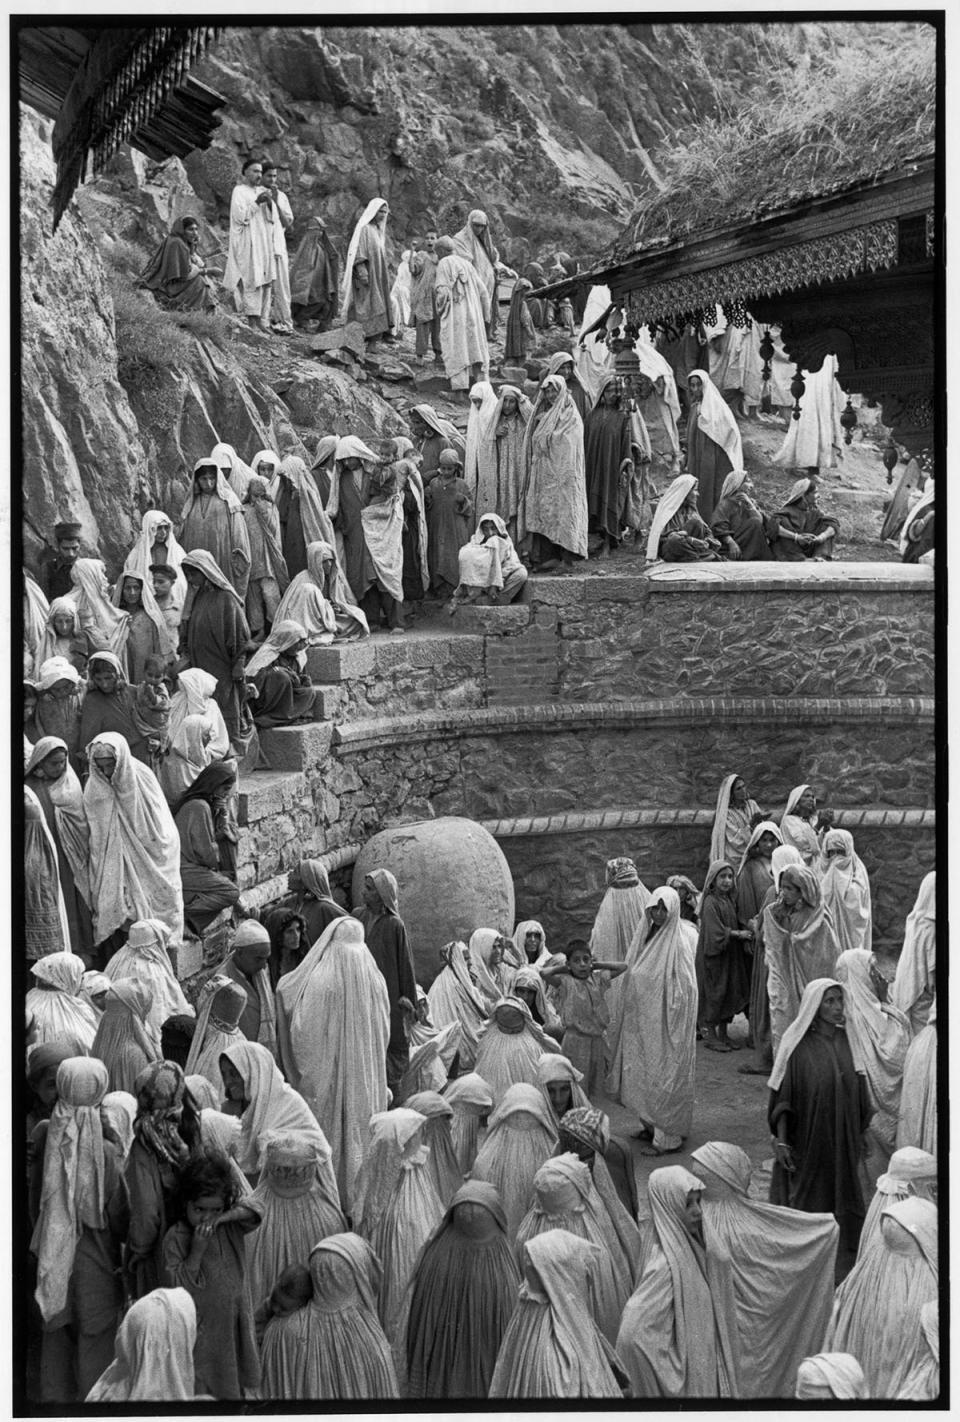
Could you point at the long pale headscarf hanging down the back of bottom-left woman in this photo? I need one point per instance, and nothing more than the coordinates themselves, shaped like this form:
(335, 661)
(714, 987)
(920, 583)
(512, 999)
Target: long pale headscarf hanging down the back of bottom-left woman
(73, 1188)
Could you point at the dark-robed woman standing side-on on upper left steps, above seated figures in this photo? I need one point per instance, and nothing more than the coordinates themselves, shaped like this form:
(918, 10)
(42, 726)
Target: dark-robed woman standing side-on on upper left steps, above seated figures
(215, 639)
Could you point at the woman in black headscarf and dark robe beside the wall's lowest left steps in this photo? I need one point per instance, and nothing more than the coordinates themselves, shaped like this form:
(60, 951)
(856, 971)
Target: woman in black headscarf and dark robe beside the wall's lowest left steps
(208, 845)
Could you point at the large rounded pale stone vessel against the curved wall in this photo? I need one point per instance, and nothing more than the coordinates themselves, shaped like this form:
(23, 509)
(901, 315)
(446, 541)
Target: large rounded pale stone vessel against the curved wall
(453, 878)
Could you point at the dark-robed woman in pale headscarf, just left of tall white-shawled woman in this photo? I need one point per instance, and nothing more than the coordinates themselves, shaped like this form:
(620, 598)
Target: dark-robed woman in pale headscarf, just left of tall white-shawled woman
(52, 780)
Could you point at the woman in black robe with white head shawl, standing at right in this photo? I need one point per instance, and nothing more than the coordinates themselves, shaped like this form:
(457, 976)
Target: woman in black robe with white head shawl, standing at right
(820, 1108)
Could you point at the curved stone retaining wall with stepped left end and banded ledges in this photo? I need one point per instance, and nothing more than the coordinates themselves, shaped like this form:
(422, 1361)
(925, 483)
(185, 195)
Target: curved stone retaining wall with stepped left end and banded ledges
(599, 716)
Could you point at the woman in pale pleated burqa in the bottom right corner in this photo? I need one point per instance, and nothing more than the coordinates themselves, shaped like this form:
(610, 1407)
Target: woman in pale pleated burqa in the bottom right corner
(877, 1309)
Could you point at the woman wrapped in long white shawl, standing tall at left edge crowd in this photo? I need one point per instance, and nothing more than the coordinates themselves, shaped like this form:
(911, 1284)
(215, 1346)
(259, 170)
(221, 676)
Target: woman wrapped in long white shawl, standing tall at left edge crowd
(134, 845)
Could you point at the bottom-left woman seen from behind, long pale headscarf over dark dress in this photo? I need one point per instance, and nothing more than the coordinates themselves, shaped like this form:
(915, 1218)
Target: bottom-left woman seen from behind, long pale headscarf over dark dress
(79, 1235)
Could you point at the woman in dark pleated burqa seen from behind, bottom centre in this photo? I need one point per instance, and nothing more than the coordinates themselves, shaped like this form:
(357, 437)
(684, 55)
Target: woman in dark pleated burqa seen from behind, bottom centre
(464, 1293)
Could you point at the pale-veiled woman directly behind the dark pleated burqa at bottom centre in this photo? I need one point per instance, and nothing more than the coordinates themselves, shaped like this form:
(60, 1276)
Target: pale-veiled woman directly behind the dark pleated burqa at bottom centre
(520, 1138)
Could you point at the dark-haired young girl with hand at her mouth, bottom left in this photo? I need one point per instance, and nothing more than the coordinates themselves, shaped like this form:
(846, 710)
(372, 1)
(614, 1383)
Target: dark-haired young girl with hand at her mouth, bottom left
(206, 1255)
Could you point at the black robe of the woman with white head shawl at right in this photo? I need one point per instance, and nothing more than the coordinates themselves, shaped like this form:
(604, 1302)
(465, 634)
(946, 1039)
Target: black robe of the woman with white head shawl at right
(828, 1110)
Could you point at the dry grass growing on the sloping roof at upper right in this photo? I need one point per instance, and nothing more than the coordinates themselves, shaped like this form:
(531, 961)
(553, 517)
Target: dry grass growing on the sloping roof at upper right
(828, 120)
